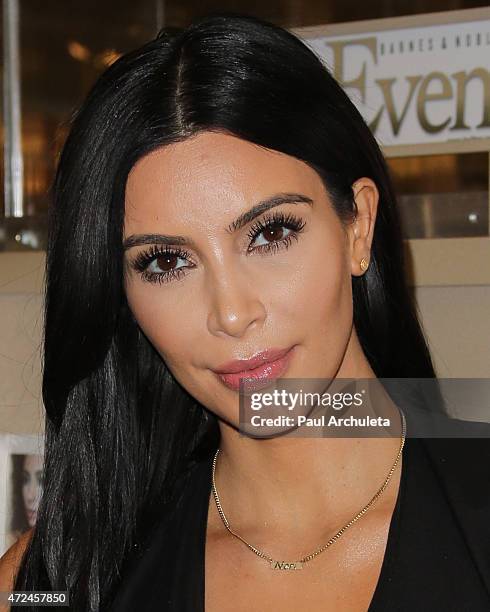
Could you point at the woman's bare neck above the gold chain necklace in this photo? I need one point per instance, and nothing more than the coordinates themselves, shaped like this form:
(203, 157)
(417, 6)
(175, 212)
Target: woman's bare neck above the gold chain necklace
(299, 485)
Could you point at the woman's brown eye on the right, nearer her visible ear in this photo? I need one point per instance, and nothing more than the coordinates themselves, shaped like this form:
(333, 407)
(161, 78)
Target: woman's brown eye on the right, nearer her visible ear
(272, 228)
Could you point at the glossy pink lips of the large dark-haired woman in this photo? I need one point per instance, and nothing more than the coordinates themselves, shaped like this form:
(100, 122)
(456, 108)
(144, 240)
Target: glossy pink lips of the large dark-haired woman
(258, 371)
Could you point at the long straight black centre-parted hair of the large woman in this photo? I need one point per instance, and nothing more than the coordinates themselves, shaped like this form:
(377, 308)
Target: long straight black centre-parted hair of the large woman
(119, 428)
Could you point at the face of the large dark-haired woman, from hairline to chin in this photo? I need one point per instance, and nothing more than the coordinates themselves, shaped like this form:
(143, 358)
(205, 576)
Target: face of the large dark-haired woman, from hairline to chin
(234, 291)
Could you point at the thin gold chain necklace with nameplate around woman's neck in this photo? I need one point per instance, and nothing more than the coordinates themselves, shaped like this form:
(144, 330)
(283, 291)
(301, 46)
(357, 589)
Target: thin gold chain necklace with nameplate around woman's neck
(296, 565)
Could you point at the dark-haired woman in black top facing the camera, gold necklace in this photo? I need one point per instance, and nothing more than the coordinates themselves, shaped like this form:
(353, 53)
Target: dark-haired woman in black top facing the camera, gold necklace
(220, 203)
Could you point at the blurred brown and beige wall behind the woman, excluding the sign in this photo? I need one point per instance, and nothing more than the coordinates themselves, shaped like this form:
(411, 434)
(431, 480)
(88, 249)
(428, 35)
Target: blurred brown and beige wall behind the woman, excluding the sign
(53, 52)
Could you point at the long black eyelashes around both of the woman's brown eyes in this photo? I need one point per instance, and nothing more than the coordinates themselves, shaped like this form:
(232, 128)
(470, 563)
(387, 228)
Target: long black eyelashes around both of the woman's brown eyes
(277, 219)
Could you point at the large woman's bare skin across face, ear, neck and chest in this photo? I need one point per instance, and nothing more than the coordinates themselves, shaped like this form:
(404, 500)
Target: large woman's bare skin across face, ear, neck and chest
(229, 304)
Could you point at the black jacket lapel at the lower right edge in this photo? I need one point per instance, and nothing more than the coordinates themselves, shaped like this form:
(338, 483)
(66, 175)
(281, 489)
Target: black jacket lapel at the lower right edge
(463, 469)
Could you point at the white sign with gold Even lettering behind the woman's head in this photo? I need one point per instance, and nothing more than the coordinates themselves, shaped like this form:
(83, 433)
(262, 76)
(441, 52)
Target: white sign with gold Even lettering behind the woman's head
(416, 85)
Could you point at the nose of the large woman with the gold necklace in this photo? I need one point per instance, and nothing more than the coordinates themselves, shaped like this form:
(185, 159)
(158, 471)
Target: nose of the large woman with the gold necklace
(235, 306)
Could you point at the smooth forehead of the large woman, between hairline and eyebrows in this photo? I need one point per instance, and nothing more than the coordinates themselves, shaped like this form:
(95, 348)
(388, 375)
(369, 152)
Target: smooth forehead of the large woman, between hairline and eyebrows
(211, 171)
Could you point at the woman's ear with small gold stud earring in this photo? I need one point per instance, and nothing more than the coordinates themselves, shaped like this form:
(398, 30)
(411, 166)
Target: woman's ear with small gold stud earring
(361, 230)
